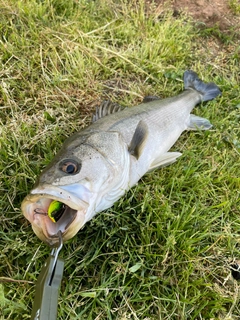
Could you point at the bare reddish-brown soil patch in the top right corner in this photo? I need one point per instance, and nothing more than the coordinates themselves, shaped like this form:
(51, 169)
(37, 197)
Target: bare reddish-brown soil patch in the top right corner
(210, 12)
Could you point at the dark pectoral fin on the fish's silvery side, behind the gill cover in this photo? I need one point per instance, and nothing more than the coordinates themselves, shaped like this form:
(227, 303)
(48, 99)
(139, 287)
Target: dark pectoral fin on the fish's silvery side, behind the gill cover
(138, 140)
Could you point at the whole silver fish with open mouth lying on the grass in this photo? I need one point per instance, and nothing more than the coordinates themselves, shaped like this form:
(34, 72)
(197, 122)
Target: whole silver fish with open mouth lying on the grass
(97, 165)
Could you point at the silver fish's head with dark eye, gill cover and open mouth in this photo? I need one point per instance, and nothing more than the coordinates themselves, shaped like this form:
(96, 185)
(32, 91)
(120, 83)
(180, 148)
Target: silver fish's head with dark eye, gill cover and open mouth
(75, 182)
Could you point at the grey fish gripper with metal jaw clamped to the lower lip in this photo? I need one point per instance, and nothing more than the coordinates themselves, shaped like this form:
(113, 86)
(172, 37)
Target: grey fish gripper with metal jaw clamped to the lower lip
(47, 286)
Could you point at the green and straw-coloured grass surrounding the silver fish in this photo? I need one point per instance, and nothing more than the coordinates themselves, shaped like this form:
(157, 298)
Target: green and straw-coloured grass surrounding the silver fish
(164, 250)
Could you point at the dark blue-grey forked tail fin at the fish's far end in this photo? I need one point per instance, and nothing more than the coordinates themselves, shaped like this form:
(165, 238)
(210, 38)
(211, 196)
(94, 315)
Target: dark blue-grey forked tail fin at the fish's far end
(209, 91)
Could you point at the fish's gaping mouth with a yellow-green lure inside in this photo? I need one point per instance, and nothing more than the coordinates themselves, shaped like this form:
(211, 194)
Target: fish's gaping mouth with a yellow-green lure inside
(54, 211)
